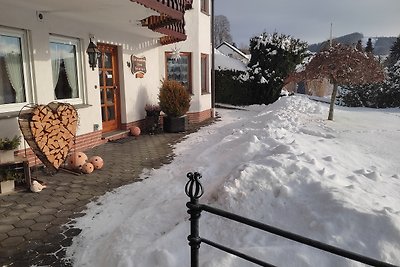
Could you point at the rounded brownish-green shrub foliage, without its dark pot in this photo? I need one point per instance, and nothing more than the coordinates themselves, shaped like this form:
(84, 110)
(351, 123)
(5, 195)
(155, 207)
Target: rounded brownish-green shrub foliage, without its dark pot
(174, 98)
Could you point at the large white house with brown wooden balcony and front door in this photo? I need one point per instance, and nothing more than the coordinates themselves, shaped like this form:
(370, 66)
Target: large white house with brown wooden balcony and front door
(43, 59)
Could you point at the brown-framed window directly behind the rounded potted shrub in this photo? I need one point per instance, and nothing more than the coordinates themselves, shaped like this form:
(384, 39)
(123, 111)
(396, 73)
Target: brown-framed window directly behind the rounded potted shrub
(179, 69)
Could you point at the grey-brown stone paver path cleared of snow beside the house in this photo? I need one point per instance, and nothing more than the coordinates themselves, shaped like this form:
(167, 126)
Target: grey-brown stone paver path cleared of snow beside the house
(34, 227)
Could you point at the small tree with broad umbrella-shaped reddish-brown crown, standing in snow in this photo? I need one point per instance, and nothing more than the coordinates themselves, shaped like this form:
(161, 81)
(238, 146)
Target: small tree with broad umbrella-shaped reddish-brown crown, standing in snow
(343, 65)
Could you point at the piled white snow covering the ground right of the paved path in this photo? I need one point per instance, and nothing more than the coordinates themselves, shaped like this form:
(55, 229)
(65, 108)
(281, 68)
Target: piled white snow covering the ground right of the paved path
(284, 165)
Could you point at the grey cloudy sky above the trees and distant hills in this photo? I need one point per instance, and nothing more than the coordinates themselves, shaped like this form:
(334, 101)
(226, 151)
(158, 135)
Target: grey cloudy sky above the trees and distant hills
(310, 20)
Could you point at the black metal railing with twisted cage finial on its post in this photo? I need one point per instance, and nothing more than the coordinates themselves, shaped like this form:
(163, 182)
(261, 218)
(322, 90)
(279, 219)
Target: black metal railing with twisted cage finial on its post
(194, 190)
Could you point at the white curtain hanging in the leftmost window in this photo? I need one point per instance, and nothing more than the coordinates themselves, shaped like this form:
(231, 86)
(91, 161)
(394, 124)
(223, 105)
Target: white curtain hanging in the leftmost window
(14, 71)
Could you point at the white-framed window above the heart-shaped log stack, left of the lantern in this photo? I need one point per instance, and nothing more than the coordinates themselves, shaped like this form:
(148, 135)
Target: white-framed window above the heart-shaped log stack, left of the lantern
(66, 68)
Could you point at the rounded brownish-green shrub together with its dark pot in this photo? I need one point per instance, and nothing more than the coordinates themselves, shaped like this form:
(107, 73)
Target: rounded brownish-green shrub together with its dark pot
(174, 102)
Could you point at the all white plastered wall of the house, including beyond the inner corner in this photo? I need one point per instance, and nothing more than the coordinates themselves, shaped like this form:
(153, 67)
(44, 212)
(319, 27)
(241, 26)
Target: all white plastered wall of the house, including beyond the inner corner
(135, 92)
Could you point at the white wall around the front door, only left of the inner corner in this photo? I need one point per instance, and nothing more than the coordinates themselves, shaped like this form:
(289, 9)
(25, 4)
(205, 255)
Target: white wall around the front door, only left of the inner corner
(134, 92)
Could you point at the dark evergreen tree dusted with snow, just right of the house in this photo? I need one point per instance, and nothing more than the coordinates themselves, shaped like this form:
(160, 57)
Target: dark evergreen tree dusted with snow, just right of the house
(273, 57)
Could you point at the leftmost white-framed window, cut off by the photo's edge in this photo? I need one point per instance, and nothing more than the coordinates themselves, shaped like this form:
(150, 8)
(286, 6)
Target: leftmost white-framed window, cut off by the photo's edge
(13, 69)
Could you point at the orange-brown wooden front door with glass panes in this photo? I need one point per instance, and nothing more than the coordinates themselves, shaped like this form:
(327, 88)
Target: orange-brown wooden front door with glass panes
(109, 87)
